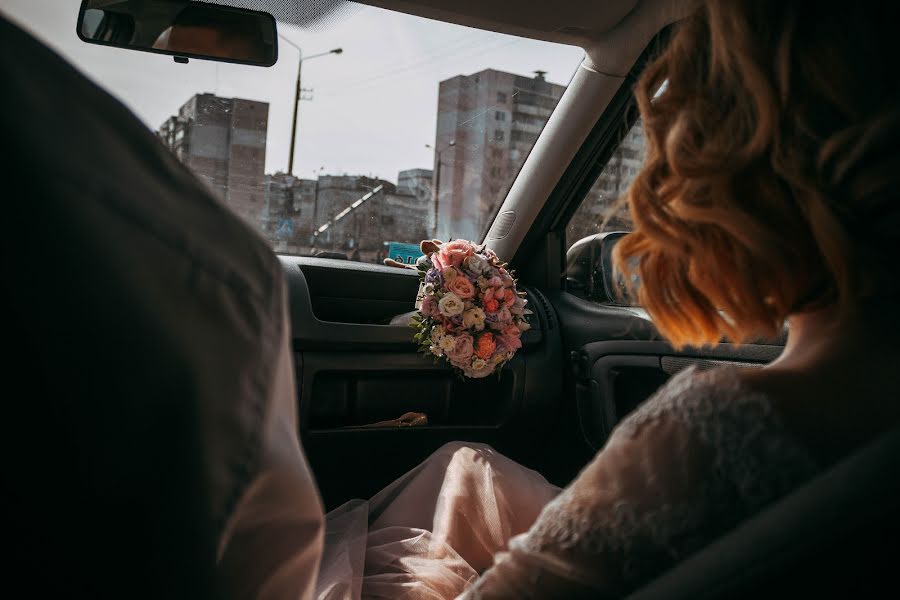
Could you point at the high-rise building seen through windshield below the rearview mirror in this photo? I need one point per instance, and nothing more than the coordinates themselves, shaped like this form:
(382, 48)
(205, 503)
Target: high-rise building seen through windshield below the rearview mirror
(223, 141)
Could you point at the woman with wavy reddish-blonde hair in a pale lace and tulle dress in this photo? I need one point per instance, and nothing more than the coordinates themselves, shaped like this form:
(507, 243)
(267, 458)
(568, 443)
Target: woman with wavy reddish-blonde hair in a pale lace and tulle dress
(769, 195)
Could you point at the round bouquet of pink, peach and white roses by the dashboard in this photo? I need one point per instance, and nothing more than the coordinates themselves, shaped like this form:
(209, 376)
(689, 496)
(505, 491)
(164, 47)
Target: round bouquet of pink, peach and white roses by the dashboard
(470, 313)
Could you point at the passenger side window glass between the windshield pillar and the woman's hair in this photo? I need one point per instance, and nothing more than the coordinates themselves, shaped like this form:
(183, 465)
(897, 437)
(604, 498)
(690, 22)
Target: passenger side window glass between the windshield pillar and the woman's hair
(601, 209)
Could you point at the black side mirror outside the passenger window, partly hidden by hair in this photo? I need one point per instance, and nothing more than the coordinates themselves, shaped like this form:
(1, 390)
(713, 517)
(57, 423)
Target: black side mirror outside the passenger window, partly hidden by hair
(590, 273)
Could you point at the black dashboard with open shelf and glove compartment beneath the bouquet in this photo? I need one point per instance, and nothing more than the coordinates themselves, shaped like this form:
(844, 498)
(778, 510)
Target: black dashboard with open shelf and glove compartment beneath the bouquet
(358, 365)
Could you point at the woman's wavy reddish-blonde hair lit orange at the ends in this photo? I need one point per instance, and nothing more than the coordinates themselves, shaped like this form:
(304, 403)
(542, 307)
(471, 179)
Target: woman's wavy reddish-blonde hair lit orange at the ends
(772, 174)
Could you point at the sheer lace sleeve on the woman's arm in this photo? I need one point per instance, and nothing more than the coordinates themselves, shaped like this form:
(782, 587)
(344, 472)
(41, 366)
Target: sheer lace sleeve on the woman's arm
(692, 462)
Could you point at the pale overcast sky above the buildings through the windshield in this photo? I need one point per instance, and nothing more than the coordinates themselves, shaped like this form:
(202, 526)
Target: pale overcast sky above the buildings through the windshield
(374, 106)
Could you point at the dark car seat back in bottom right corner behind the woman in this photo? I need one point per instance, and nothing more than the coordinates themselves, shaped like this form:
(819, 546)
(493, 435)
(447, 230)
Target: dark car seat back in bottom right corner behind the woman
(832, 535)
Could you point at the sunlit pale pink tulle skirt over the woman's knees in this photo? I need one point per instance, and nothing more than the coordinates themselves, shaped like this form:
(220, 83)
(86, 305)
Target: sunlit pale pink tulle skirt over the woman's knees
(430, 533)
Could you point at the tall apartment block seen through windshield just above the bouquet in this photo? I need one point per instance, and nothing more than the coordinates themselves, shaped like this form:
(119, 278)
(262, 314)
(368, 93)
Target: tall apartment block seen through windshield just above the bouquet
(486, 125)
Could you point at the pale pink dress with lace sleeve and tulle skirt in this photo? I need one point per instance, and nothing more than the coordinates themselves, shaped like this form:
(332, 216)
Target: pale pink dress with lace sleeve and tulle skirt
(700, 456)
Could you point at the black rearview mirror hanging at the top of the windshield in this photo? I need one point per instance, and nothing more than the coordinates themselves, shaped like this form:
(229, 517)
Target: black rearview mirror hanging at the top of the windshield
(181, 28)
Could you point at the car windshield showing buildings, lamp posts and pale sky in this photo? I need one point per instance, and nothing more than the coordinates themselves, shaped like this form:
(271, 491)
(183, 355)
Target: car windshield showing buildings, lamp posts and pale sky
(405, 128)
